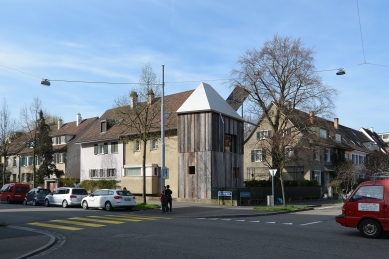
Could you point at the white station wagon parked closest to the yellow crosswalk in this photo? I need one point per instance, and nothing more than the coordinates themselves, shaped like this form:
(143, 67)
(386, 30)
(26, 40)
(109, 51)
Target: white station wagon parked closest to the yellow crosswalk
(109, 199)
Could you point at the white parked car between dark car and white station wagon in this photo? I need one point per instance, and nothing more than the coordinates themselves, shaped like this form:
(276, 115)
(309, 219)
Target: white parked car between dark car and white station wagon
(66, 197)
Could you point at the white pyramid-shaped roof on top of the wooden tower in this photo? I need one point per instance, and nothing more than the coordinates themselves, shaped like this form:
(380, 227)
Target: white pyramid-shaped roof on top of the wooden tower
(205, 98)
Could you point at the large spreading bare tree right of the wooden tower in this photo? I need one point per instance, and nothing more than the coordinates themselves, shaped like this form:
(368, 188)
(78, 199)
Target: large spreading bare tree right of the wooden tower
(282, 74)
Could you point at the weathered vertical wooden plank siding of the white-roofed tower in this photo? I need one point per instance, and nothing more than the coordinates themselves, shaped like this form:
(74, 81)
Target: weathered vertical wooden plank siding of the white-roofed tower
(201, 144)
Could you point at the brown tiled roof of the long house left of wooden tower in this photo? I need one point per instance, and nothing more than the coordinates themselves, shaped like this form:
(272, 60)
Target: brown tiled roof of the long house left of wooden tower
(117, 130)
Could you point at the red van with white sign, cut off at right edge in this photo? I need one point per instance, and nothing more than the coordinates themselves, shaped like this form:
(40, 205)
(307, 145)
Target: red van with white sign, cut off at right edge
(367, 209)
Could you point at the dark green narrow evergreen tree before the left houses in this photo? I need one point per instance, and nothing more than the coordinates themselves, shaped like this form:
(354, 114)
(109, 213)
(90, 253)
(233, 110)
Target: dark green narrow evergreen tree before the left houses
(43, 149)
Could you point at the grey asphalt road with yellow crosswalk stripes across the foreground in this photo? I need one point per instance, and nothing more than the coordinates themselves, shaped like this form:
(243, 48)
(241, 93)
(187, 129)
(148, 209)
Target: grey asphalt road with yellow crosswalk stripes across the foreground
(151, 234)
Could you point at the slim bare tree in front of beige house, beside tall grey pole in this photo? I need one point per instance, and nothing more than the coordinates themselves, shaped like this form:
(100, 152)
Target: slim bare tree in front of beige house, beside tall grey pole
(139, 113)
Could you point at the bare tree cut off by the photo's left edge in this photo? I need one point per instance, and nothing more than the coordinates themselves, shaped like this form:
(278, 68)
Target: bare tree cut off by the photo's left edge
(7, 130)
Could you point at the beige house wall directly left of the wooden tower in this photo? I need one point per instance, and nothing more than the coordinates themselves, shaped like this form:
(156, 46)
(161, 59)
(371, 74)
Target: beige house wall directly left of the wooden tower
(153, 163)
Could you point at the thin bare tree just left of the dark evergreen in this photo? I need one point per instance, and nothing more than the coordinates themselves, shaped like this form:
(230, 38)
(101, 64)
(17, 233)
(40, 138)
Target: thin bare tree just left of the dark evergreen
(29, 118)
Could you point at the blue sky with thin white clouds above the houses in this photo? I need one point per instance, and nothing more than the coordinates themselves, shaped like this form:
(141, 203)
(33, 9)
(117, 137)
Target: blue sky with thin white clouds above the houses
(196, 41)
